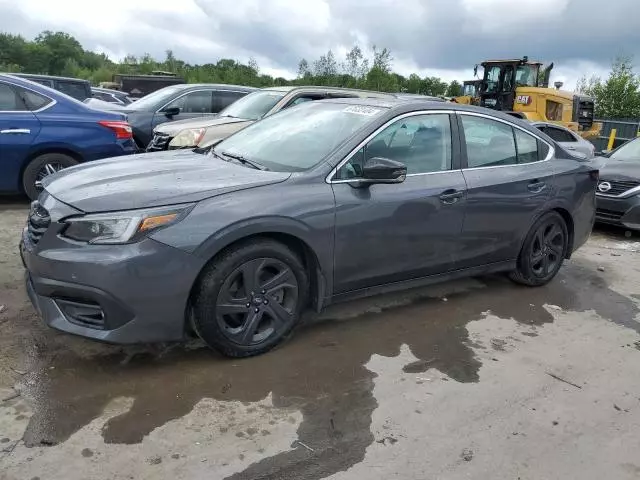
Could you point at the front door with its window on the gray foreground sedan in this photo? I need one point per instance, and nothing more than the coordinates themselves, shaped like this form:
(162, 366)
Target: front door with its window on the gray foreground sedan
(389, 233)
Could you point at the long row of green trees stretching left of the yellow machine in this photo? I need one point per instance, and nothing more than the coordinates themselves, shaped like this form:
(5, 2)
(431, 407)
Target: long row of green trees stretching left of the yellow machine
(58, 53)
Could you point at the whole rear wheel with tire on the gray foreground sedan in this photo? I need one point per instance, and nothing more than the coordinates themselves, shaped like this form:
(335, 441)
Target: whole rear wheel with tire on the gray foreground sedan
(543, 251)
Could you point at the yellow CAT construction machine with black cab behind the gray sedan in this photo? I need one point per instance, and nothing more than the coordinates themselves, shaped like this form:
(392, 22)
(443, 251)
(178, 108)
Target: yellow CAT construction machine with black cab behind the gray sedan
(520, 87)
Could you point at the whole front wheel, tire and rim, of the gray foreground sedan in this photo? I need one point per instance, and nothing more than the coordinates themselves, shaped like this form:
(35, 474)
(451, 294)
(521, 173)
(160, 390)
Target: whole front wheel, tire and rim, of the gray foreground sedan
(250, 298)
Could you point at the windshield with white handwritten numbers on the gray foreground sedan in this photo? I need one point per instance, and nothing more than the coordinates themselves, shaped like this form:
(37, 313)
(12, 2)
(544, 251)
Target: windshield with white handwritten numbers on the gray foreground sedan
(298, 138)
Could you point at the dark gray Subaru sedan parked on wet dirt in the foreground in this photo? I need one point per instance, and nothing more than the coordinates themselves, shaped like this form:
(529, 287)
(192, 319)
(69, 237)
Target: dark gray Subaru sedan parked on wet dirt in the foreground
(321, 202)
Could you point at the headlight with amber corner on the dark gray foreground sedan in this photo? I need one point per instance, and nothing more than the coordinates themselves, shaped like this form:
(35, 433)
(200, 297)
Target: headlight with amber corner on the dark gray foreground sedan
(122, 227)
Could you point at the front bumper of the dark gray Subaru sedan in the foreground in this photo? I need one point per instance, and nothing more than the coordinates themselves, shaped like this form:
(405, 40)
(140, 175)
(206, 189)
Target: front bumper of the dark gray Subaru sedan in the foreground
(123, 294)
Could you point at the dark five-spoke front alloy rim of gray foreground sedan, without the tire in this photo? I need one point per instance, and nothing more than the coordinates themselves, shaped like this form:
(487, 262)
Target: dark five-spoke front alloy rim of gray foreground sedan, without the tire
(257, 300)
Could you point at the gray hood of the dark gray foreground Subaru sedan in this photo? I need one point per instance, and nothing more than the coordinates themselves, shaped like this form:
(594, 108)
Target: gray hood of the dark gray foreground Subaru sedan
(152, 179)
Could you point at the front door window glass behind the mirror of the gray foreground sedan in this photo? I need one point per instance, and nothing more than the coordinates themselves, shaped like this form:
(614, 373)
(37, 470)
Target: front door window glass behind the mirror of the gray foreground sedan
(421, 142)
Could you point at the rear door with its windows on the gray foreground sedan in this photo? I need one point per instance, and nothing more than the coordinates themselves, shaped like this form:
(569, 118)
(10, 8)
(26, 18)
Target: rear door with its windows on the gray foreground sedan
(508, 182)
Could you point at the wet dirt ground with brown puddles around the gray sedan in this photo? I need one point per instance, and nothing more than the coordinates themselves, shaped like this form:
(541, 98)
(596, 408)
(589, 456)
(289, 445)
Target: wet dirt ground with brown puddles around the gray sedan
(471, 379)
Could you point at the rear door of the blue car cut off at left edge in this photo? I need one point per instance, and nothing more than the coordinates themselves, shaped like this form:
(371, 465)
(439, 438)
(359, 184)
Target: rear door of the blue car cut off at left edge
(19, 127)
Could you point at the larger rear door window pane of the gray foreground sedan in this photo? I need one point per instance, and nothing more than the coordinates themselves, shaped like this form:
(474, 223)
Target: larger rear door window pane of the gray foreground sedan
(489, 143)
